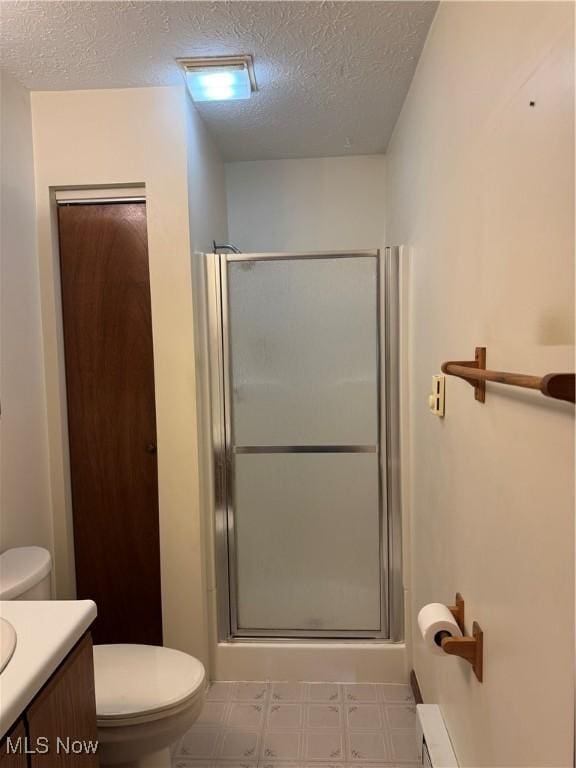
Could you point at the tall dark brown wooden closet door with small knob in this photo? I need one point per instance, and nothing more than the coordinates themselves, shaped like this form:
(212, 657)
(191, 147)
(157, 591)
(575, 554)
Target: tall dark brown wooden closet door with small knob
(111, 417)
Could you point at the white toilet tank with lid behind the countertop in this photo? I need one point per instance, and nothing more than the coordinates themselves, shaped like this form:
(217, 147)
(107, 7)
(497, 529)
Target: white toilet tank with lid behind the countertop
(25, 574)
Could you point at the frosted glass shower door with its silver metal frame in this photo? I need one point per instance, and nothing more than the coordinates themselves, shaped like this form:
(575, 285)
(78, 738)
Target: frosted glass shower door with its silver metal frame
(305, 431)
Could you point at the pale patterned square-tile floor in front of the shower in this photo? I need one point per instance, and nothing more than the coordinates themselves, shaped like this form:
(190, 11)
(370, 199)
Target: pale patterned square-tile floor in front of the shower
(300, 725)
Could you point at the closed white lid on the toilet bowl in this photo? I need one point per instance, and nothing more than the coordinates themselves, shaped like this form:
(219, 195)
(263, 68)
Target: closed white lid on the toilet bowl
(135, 680)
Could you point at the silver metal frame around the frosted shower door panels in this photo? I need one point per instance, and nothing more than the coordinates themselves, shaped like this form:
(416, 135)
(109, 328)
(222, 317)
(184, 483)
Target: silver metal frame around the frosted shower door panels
(388, 448)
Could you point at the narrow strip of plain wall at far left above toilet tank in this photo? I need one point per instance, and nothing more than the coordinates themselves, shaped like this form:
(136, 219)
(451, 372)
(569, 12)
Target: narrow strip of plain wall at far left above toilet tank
(24, 487)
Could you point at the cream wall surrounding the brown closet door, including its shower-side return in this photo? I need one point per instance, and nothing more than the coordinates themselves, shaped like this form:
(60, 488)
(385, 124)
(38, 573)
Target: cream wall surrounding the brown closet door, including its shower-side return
(150, 136)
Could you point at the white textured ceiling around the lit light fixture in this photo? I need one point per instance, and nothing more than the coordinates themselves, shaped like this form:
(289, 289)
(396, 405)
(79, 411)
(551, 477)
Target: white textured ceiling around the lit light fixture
(332, 76)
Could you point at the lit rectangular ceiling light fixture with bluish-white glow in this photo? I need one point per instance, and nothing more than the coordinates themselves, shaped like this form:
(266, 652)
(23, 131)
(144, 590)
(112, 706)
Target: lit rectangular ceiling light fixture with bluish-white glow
(219, 78)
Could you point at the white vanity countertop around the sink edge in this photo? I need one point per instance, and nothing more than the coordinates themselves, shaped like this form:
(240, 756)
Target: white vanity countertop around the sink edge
(47, 630)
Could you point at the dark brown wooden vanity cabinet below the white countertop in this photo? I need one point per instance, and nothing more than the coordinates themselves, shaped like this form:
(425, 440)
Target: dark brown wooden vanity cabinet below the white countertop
(60, 723)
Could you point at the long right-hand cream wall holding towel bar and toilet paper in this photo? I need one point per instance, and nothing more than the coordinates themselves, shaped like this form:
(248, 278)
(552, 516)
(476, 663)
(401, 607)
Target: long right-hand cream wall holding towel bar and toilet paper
(480, 187)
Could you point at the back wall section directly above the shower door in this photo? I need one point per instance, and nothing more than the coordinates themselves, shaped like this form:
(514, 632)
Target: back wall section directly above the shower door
(331, 203)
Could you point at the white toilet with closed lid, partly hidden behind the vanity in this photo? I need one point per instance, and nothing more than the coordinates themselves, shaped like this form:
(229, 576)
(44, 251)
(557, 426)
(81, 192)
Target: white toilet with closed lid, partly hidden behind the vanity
(147, 696)
